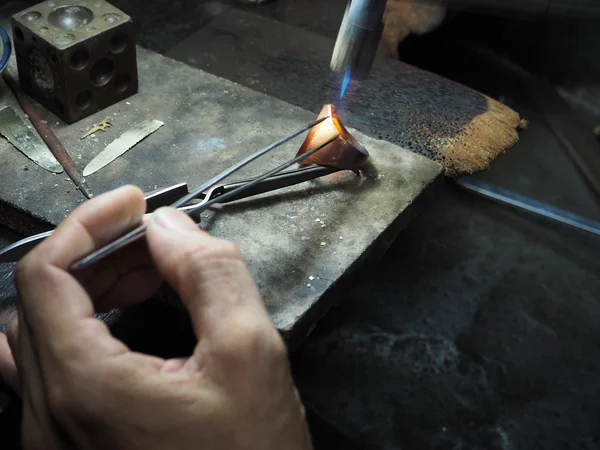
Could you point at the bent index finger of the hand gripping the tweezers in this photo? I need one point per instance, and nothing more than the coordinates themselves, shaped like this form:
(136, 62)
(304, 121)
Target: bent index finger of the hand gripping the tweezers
(55, 305)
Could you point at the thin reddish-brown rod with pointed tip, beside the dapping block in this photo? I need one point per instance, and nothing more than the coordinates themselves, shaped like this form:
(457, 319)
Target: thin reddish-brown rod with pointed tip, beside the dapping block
(46, 133)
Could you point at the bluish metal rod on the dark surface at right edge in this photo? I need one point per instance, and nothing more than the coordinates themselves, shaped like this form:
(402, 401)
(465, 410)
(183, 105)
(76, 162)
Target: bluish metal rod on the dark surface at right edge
(529, 205)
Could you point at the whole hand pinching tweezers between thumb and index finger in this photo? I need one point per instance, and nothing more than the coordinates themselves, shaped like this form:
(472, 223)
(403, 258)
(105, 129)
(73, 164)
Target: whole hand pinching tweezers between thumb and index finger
(84, 389)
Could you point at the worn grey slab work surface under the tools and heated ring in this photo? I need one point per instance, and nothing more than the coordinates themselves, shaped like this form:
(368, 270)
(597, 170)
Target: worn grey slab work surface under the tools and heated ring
(298, 242)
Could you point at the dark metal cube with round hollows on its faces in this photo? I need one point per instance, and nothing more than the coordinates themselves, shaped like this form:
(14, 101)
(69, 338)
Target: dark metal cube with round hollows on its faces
(75, 57)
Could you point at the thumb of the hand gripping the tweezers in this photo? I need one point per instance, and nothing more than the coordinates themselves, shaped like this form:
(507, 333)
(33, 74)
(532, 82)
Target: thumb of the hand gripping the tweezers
(209, 274)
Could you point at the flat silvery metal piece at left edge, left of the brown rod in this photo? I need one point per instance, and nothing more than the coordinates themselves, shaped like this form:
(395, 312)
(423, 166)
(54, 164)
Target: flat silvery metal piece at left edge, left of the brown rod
(16, 131)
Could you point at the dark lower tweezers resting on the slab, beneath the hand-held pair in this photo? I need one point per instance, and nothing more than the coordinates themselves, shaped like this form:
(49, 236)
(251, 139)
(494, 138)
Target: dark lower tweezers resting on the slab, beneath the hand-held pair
(225, 193)
